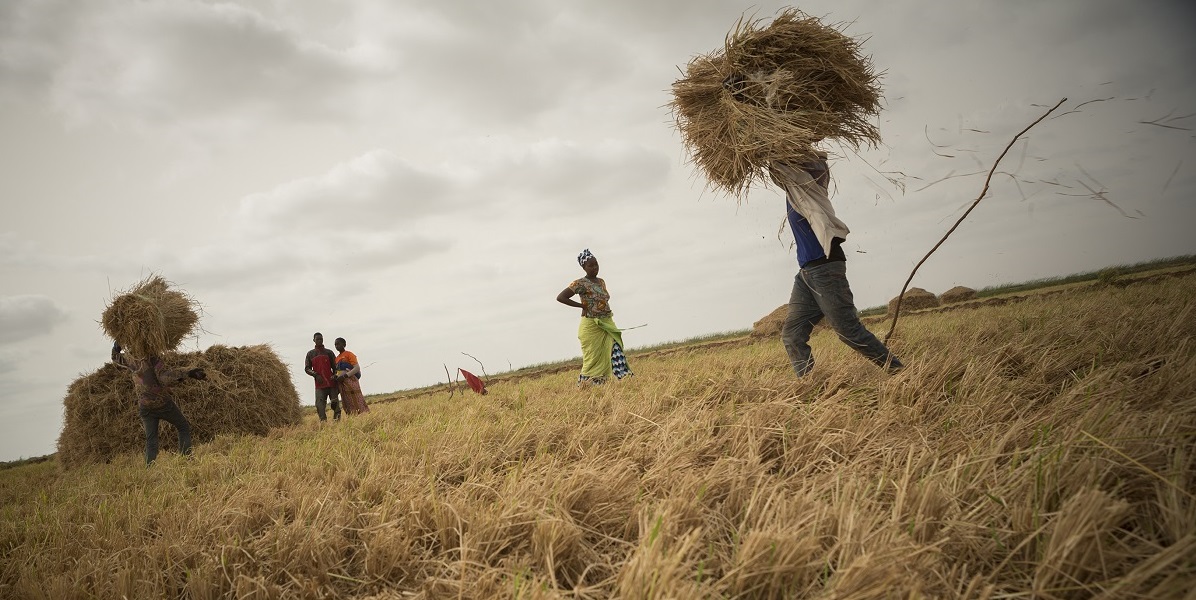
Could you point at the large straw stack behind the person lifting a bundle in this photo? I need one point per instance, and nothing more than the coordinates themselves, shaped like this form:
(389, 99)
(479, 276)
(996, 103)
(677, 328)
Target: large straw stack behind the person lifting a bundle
(248, 391)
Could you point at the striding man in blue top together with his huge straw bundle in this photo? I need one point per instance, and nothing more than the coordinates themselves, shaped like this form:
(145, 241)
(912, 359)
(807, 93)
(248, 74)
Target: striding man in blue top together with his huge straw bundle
(754, 113)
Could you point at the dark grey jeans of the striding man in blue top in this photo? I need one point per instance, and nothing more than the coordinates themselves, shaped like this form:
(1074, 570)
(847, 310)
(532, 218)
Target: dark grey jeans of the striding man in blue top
(821, 292)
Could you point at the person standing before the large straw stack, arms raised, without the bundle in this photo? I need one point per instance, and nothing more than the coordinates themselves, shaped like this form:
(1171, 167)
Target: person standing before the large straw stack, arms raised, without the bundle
(156, 403)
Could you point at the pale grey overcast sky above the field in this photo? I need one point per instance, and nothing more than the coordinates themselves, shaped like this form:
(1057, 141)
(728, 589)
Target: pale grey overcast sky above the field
(418, 177)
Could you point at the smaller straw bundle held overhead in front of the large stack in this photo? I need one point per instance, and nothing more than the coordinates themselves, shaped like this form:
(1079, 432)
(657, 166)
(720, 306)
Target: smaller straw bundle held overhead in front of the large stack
(151, 319)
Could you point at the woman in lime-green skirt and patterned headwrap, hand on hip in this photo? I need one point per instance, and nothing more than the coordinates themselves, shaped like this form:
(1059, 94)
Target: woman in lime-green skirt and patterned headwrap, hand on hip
(602, 342)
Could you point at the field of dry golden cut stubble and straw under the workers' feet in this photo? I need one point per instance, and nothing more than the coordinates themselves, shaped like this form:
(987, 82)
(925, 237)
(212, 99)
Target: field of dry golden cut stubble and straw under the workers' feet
(1042, 449)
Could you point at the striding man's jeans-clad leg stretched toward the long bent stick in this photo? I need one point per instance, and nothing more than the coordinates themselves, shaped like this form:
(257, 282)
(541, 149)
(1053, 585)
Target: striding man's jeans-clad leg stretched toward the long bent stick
(834, 296)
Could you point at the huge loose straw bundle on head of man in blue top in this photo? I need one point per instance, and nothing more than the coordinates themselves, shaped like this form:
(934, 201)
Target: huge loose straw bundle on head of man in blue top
(771, 95)
